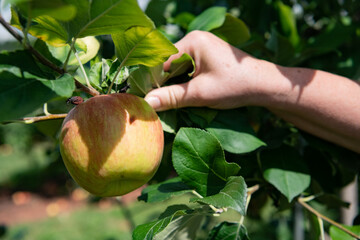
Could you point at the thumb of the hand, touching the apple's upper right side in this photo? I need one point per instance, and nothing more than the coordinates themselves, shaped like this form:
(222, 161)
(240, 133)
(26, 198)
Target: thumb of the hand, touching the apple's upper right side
(174, 96)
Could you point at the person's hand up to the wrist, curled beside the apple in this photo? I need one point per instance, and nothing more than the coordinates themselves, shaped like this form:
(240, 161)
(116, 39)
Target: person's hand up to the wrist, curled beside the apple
(225, 76)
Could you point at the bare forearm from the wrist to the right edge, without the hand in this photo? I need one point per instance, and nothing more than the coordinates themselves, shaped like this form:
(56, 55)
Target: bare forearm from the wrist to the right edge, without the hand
(321, 103)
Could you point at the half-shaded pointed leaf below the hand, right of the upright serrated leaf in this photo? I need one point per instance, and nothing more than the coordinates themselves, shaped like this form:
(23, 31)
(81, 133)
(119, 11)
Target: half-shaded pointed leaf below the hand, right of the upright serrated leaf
(234, 132)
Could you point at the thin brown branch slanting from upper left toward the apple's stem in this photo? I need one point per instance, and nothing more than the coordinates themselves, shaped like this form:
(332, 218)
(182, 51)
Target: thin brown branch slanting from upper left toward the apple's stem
(43, 60)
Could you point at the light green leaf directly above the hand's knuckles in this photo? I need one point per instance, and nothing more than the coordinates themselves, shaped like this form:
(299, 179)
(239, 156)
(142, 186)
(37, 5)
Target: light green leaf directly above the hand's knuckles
(208, 20)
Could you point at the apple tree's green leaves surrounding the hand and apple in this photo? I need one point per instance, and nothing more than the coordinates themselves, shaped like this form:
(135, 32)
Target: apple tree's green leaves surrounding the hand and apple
(215, 155)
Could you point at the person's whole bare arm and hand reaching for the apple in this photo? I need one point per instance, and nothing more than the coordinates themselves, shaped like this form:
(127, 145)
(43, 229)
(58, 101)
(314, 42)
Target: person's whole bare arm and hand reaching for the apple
(321, 103)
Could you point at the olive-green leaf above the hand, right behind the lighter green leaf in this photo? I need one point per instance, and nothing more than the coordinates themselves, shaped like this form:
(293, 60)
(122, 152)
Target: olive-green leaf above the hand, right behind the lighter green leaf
(233, 31)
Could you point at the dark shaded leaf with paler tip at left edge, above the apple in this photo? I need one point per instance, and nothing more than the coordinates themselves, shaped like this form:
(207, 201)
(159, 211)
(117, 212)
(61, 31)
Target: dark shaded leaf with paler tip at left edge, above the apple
(23, 95)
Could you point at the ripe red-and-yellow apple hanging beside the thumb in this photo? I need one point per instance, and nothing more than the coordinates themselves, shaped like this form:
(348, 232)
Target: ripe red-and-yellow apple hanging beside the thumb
(112, 144)
